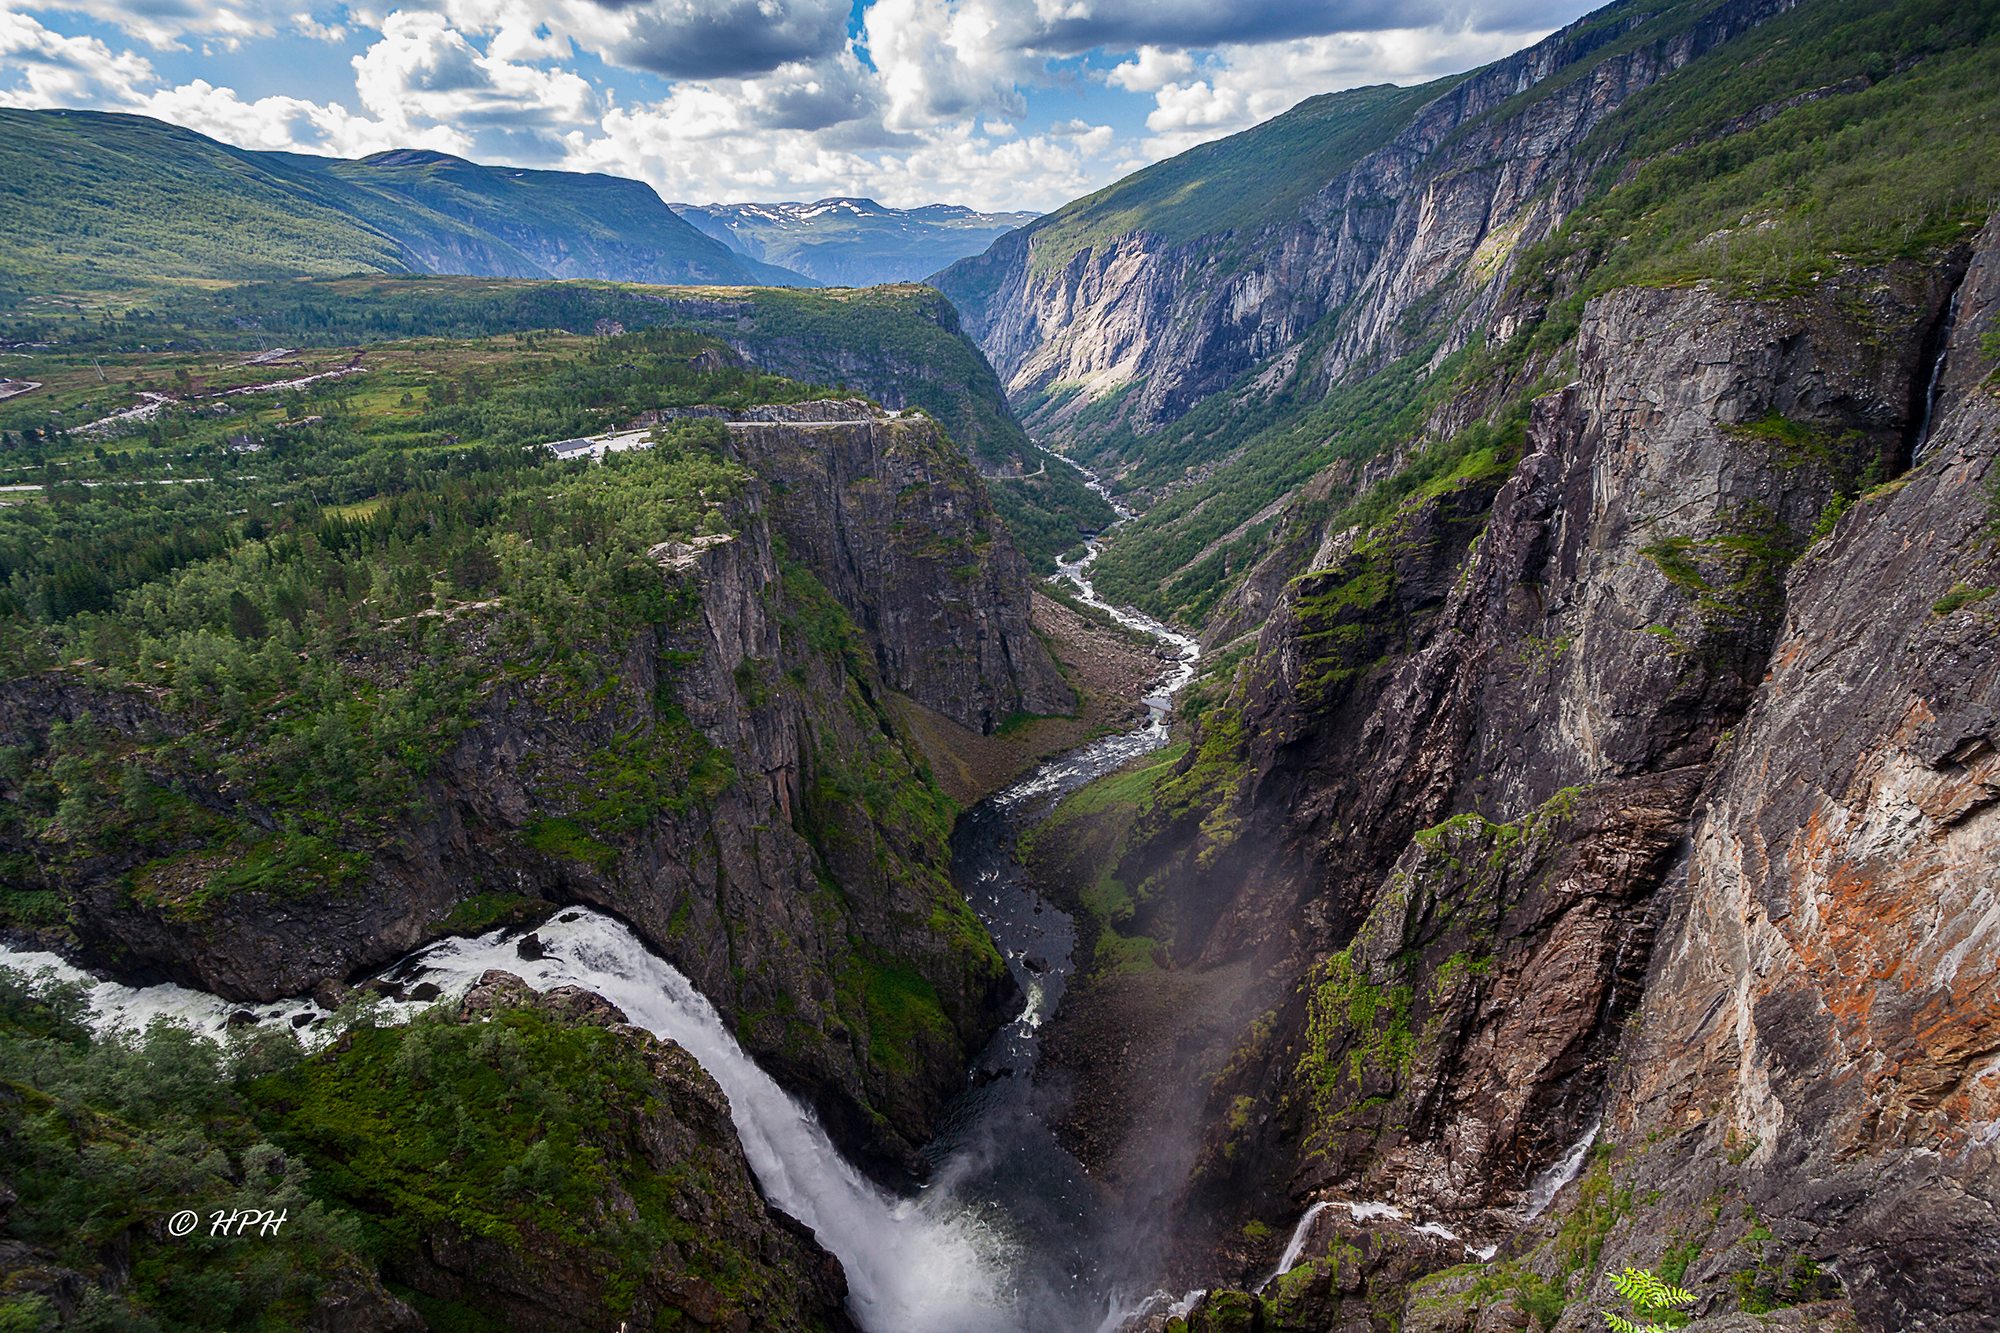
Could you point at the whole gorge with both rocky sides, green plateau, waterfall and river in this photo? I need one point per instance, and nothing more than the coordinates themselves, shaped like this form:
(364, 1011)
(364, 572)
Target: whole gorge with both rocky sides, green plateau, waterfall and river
(1459, 760)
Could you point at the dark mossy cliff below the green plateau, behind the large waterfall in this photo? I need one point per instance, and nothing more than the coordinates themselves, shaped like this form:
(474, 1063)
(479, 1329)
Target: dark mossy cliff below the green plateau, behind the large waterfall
(737, 788)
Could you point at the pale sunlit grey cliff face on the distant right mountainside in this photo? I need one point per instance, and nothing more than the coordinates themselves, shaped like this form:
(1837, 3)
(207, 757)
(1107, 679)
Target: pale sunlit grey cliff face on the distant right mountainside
(1433, 211)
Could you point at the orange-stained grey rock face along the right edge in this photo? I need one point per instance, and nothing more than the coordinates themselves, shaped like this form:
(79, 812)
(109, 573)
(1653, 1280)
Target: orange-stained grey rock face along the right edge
(1827, 986)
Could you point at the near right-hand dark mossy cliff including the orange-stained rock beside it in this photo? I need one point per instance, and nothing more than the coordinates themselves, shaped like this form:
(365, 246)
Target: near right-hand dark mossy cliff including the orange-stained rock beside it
(1643, 786)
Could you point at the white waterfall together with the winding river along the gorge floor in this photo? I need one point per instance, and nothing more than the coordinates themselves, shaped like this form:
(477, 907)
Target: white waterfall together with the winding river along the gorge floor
(1005, 1238)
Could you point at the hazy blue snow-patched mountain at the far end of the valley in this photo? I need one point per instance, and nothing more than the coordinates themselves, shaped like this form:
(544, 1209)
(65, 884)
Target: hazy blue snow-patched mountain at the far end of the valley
(855, 241)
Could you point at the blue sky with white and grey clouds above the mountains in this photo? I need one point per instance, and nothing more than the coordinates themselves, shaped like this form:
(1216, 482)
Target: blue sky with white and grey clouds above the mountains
(987, 103)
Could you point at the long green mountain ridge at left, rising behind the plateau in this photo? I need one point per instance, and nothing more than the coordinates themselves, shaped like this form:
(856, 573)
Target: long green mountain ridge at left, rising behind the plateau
(101, 199)
